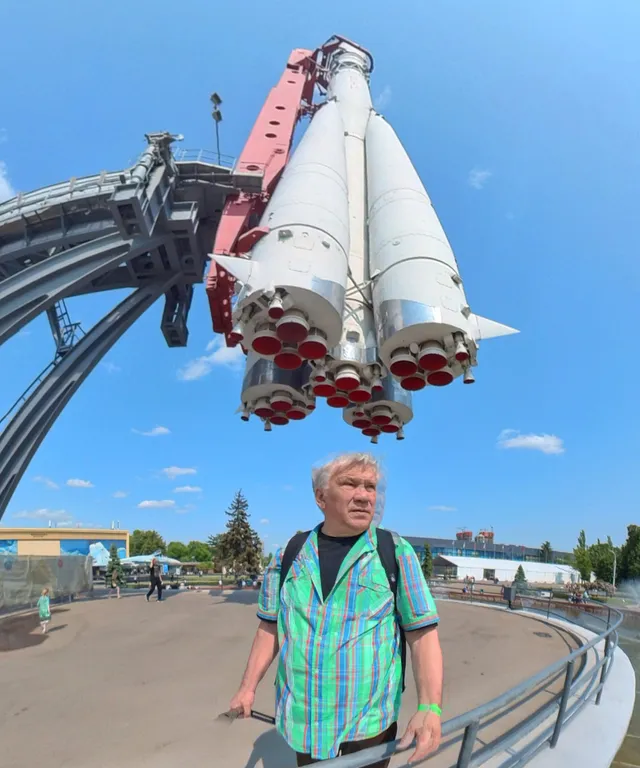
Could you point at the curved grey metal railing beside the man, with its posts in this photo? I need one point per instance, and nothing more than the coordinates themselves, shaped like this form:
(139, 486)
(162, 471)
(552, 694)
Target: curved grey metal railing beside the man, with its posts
(469, 724)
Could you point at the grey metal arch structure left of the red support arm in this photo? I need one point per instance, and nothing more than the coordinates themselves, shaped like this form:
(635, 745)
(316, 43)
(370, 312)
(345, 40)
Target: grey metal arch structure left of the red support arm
(148, 228)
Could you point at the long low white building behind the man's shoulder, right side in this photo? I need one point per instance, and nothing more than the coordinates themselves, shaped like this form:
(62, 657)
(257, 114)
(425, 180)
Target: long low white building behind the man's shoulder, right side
(483, 569)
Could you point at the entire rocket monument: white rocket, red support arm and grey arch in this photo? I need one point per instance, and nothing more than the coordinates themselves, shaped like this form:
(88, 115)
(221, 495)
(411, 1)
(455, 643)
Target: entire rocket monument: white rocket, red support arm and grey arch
(327, 264)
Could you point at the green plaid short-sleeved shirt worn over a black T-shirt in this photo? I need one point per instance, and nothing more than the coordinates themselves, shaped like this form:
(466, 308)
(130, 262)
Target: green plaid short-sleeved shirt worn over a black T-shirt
(339, 670)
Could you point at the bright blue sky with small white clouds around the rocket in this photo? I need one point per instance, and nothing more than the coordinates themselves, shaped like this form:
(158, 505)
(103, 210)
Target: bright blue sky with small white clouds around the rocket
(523, 121)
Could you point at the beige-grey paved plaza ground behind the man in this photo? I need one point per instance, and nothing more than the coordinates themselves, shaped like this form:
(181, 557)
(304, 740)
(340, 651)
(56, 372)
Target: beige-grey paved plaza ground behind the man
(131, 684)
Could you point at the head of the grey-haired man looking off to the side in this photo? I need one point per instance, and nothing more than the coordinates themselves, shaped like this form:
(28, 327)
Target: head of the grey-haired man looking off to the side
(349, 499)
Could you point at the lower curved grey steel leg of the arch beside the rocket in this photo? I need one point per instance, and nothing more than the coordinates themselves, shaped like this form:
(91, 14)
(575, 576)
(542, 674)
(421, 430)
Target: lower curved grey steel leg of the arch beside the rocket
(28, 428)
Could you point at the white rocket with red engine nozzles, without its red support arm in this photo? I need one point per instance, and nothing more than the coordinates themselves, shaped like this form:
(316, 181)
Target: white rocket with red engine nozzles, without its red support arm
(351, 293)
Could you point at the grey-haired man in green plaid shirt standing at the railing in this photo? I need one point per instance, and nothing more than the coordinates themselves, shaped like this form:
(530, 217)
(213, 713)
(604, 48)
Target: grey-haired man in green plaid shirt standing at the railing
(337, 608)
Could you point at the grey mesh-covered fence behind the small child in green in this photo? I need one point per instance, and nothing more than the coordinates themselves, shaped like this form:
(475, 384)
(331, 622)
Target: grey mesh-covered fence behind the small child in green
(22, 579)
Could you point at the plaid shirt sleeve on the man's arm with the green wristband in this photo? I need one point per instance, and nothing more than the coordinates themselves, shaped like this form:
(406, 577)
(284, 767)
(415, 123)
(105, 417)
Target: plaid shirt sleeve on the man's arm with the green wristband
(416, 606)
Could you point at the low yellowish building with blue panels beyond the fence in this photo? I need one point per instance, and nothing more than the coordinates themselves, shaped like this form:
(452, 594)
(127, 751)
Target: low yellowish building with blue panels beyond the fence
(54, 542)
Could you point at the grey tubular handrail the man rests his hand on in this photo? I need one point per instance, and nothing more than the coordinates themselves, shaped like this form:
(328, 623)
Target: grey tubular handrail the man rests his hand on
(471, 721)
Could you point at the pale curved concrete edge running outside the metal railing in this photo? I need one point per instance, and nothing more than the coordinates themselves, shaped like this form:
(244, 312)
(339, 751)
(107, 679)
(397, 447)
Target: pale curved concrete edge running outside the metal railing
(594, 736)
